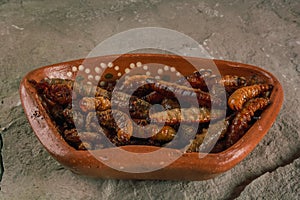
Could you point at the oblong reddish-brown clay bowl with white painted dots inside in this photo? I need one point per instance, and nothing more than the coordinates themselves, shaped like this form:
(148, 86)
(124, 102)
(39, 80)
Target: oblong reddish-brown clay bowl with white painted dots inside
(188, 166)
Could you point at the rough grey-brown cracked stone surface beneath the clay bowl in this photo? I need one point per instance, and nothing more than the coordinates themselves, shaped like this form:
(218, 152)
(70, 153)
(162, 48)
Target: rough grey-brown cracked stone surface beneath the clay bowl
(35, 33)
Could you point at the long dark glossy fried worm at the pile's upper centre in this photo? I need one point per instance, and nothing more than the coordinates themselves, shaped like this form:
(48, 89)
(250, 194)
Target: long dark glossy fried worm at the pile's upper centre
(172, 90)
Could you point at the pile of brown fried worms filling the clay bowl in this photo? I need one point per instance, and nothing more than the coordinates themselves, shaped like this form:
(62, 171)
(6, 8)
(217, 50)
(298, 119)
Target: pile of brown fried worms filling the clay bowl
(88, 127)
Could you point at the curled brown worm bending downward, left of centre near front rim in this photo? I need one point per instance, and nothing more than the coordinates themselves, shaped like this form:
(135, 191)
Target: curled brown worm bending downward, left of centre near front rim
(120, 122)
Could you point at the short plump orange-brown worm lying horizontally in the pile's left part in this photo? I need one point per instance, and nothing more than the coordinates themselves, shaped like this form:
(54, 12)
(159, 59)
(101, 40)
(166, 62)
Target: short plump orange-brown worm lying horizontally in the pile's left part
(100, 103)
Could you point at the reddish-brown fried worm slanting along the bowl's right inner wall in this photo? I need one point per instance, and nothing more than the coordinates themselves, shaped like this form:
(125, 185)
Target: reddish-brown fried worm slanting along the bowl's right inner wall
(241, 121)
